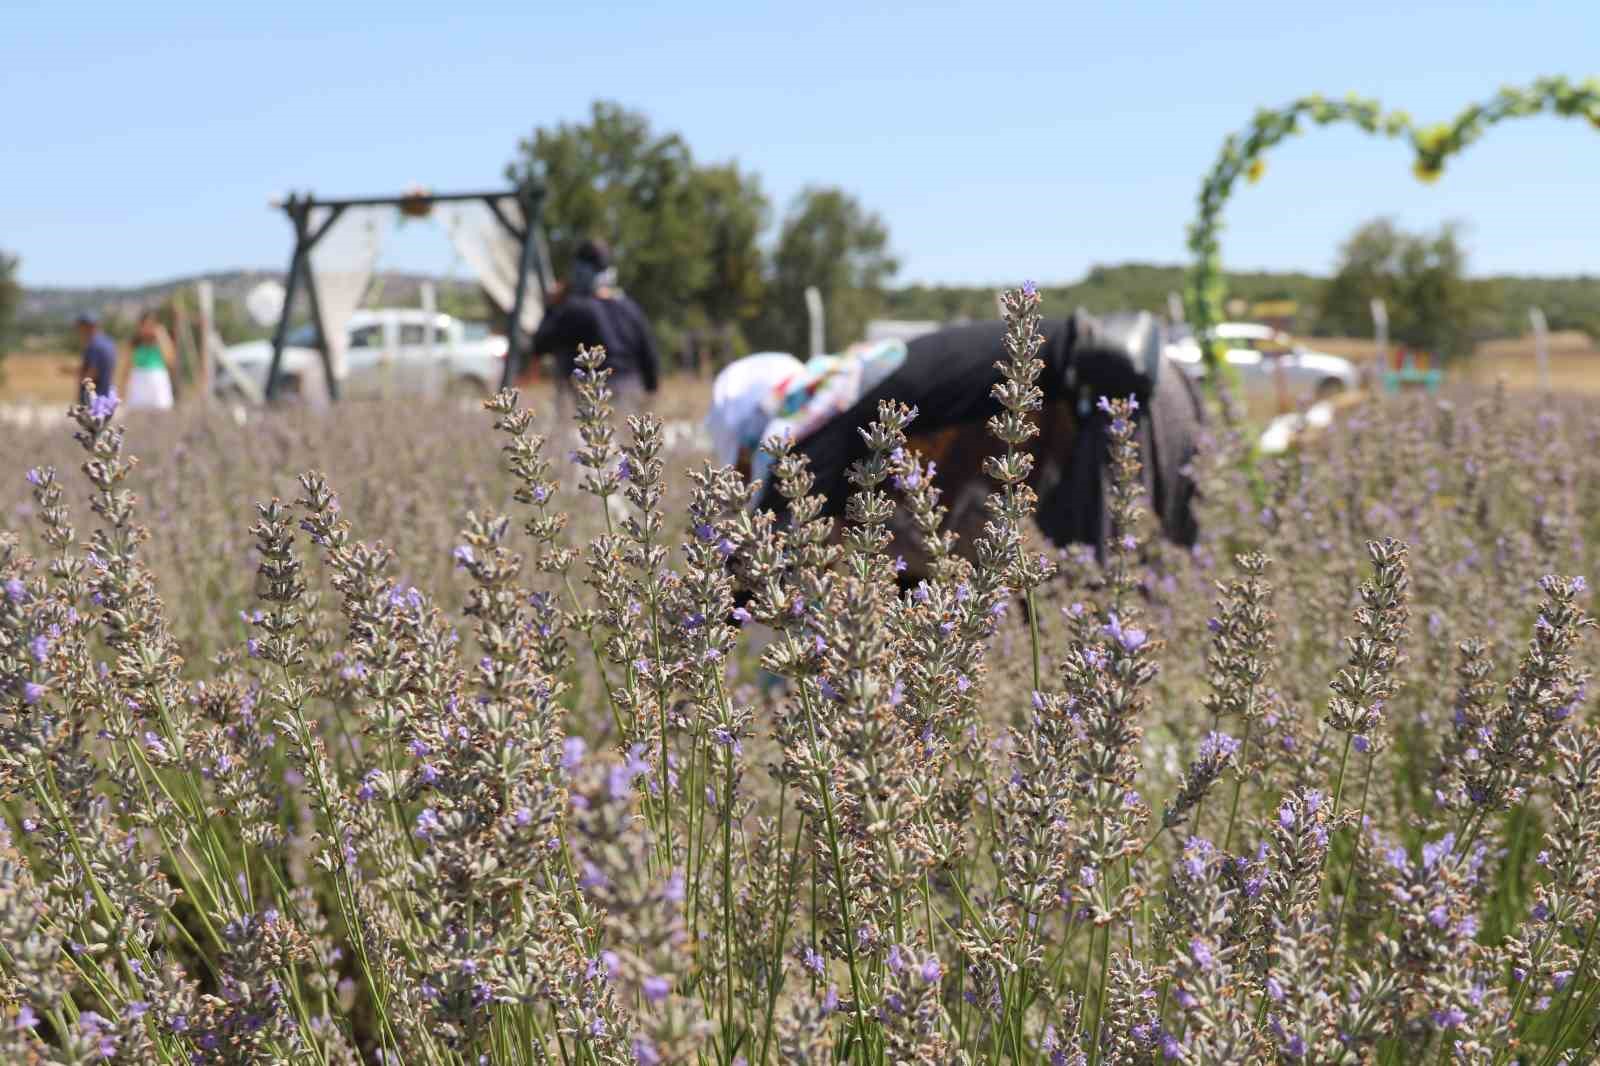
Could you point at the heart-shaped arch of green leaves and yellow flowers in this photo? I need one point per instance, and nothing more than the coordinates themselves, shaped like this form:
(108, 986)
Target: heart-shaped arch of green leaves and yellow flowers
(1244, 153)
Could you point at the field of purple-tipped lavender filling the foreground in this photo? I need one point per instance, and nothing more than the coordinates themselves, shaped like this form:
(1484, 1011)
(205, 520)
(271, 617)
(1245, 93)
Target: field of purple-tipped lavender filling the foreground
(436, 739)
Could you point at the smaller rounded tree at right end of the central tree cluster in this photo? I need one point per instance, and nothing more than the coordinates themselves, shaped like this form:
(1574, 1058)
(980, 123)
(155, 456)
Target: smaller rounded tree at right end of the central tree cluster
(830, 241)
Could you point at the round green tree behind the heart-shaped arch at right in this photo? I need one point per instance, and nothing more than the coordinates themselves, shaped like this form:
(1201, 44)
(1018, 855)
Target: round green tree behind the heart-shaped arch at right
(1422, 279)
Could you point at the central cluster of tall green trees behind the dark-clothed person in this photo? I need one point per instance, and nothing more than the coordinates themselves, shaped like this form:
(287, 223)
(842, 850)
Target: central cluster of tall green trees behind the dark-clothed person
(690, 236)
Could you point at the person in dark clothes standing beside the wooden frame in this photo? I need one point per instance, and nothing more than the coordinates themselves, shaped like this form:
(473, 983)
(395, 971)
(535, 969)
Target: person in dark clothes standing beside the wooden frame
(591, 311)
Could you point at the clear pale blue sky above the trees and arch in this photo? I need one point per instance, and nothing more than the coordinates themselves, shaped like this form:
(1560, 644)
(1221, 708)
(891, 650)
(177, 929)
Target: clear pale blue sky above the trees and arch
(143, 142)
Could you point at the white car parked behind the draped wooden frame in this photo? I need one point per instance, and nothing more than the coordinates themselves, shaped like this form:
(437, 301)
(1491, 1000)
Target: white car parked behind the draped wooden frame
(386, 353)
